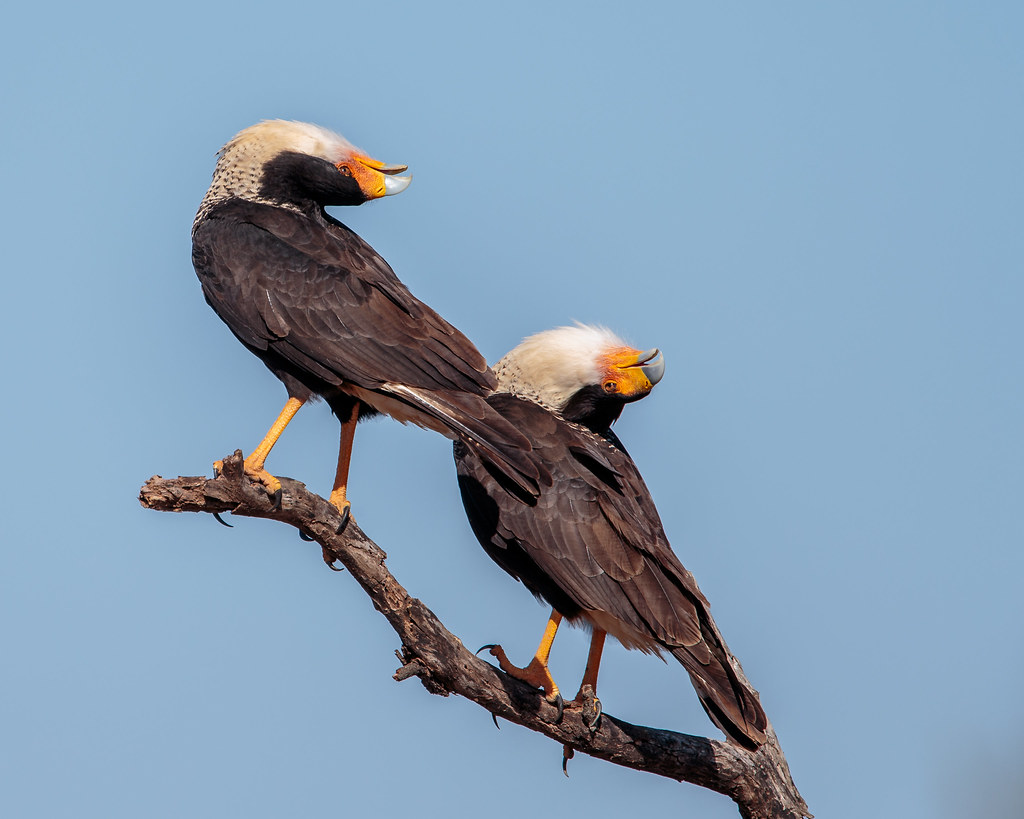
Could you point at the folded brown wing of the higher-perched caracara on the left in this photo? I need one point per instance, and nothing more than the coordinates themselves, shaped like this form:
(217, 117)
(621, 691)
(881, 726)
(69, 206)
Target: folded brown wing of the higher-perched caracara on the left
(312, 293)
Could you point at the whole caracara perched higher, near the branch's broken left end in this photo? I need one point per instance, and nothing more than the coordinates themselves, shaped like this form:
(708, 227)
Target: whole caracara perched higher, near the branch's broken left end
(324, 312)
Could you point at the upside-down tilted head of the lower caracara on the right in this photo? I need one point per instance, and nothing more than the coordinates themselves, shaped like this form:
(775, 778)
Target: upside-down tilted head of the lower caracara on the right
(585, 374)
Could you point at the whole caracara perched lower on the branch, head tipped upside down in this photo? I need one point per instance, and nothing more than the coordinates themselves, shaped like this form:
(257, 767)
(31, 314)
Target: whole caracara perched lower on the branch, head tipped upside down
(591, 544)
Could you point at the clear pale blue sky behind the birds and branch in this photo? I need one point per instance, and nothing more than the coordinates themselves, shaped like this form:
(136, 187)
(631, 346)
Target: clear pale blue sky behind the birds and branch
(814, 209)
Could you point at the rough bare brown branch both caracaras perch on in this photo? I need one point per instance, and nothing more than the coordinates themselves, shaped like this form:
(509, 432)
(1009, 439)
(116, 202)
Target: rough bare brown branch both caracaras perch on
(760, 784)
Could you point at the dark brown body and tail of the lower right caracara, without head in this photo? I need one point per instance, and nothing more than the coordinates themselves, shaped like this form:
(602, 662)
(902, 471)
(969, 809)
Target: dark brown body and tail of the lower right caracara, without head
(592, 541)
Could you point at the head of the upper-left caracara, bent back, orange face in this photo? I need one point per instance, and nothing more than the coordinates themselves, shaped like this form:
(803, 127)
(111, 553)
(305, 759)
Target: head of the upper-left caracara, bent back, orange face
(295, 163)
